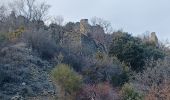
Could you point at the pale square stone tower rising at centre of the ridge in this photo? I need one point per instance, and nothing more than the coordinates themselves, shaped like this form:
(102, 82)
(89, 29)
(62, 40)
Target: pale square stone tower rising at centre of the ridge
(84, 26)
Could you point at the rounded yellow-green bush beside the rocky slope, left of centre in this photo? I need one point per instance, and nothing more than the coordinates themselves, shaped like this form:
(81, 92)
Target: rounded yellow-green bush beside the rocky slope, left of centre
(67, 78)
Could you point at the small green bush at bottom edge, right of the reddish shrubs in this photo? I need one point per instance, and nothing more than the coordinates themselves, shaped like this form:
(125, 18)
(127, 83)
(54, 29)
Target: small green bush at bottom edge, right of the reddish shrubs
(129, 93)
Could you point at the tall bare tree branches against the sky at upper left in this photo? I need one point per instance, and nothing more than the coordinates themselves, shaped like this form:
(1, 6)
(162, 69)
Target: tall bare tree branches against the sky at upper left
(30, 9)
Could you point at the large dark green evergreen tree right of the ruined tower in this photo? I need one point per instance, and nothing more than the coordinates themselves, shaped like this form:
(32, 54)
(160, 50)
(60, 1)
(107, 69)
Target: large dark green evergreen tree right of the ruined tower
(132, 51)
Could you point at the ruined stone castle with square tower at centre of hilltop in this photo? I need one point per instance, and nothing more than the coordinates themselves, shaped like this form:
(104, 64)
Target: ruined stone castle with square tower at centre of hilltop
(80, 38)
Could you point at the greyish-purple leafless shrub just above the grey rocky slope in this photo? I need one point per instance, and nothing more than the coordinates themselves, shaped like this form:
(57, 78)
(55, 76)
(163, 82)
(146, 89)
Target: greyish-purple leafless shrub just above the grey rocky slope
(41, 41)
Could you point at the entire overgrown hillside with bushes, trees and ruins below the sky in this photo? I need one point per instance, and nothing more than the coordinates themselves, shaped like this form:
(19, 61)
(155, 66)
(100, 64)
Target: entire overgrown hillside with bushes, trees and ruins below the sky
(77, 61)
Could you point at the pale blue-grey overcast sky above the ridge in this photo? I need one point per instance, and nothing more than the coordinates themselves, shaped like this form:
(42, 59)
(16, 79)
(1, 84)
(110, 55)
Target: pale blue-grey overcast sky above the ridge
(133, 16)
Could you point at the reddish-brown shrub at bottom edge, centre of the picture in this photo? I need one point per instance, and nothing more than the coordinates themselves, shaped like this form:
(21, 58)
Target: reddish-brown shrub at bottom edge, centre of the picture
(102, 91)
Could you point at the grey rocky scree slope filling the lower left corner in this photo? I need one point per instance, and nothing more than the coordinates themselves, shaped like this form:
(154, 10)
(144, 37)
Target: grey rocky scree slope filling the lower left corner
(22, 73)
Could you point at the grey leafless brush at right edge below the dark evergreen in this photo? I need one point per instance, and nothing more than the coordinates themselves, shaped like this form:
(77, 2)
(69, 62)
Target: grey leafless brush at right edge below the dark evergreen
(155, 75)
